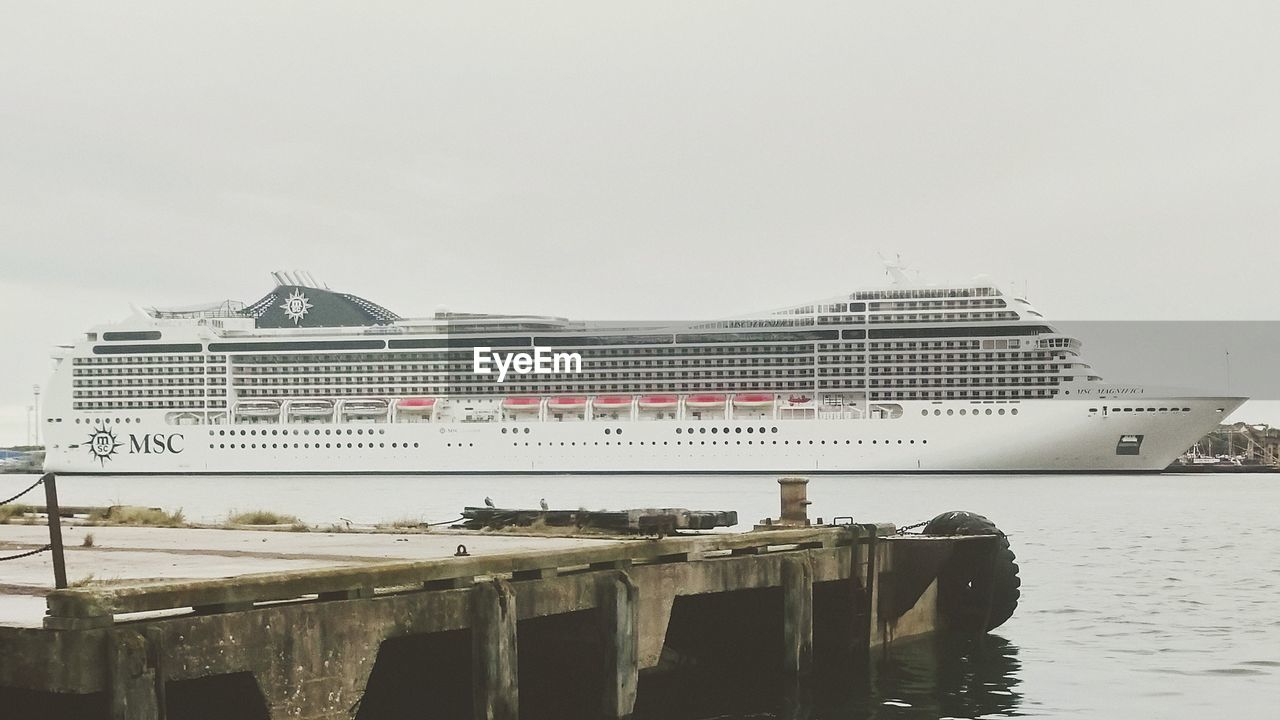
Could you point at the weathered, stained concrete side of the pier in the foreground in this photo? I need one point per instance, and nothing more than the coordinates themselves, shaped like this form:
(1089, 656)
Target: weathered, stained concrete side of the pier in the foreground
(455, 632)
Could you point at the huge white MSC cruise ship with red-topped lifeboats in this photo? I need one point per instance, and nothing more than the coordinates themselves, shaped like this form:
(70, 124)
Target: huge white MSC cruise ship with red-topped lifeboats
(907, 379)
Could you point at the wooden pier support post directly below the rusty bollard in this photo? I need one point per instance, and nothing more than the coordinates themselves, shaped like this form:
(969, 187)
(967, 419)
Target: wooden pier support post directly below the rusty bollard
(797, 632)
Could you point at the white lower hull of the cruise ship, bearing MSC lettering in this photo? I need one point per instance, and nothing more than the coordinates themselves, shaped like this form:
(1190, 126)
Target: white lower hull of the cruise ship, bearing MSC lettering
(1050, 436)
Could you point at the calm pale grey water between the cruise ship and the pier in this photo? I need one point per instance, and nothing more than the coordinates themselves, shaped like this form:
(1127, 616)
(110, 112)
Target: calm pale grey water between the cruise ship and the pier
(1142, 596)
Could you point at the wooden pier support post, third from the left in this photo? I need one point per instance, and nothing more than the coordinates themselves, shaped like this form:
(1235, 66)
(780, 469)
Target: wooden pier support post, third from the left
(619, 607)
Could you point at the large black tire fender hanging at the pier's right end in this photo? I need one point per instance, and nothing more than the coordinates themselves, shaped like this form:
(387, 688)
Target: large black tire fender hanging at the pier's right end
(975, 577)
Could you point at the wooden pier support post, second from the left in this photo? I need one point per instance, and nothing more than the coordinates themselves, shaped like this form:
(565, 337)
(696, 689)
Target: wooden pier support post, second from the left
(495, 672)
